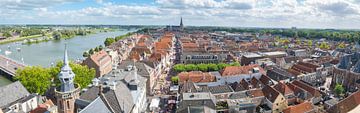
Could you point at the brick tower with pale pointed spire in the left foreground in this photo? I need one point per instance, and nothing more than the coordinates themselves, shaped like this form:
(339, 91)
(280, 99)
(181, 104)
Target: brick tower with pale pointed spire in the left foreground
(68, 92)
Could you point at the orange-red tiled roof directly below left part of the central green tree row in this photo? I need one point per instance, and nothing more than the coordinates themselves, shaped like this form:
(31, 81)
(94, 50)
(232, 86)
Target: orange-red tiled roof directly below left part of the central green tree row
(196, 77)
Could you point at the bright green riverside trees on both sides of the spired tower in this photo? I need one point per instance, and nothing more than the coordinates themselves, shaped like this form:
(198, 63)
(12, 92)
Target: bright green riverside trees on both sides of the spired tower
(38, 79)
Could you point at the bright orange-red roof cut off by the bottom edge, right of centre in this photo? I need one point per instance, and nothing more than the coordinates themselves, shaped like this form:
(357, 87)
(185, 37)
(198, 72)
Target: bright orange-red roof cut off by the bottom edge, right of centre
(300, 108)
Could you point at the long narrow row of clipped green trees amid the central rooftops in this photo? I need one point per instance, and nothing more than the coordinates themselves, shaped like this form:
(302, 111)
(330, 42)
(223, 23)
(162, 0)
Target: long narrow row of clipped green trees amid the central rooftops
(202, 67)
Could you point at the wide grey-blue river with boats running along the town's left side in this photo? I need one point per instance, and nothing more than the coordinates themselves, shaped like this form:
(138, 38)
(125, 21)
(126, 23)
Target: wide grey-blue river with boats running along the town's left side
(46, 53)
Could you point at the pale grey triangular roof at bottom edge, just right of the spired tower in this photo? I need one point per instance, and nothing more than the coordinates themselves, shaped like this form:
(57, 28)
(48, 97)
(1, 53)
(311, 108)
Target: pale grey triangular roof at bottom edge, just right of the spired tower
(97, 105)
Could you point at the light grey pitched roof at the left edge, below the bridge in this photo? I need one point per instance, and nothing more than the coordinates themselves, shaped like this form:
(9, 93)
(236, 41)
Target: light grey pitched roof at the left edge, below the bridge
(11, 93)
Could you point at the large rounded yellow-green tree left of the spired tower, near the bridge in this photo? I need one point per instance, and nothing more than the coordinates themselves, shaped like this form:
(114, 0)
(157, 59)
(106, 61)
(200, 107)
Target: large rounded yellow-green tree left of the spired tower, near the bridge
(35, 79)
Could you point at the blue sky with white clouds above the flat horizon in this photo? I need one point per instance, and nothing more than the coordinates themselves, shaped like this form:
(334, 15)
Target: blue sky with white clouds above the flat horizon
(338, 14)
